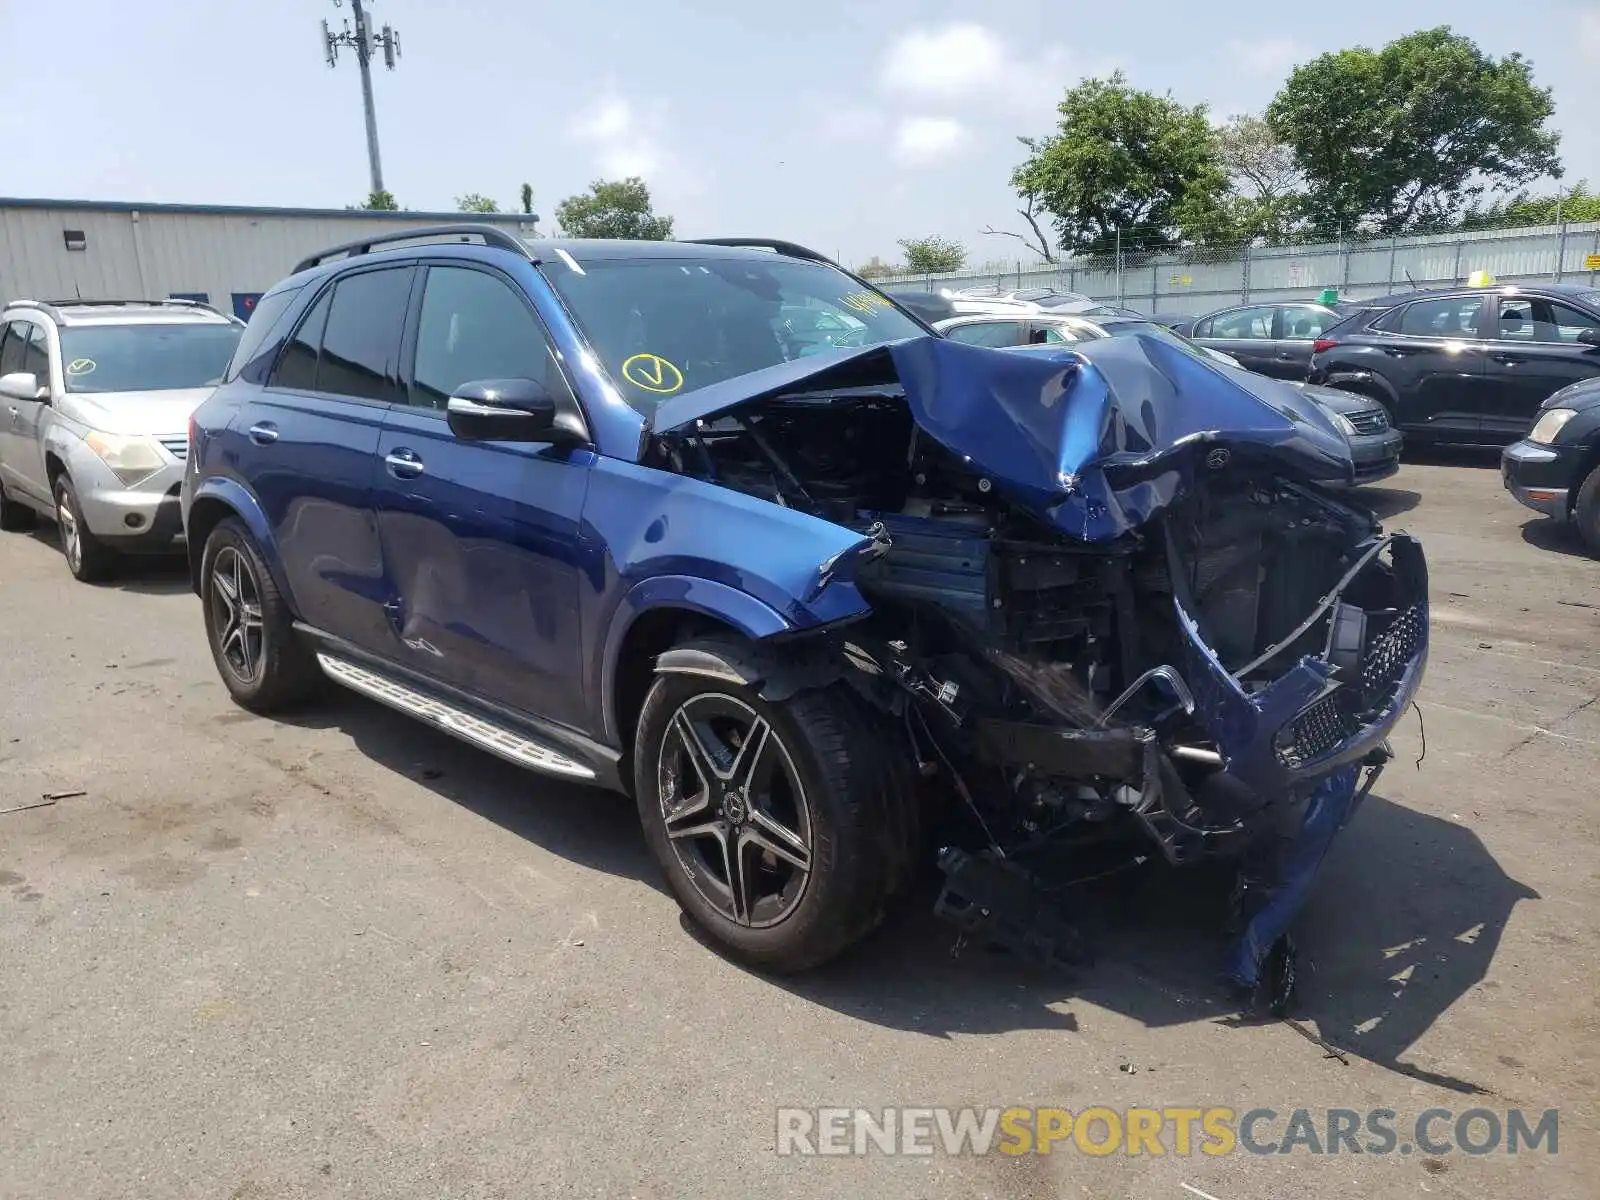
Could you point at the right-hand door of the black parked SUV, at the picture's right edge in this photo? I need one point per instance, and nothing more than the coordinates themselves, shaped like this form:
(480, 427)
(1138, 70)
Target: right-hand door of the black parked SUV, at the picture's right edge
(1535, 353)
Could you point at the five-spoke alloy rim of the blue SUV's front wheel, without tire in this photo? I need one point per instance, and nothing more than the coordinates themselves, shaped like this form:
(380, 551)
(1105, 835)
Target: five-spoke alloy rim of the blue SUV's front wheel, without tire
(735, 810)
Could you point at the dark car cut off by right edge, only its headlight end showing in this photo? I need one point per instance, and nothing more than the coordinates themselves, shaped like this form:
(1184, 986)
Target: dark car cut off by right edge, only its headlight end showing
(1556, 470)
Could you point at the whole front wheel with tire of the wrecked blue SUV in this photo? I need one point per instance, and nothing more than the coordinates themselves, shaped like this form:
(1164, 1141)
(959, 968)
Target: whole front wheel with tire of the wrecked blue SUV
(777, 825)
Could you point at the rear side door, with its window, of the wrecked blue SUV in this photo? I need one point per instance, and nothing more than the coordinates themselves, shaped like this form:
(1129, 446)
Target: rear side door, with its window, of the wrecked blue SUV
(308, 447)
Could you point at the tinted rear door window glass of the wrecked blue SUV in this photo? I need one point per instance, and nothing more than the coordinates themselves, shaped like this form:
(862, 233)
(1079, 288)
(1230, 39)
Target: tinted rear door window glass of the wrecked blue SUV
(361, 343)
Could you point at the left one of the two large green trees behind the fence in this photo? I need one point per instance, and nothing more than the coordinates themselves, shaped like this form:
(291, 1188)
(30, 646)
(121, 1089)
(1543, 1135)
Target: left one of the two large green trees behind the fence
(1126, 161)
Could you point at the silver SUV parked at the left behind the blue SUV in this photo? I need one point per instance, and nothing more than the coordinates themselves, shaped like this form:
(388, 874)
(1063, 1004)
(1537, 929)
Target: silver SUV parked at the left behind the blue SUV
(95, 402)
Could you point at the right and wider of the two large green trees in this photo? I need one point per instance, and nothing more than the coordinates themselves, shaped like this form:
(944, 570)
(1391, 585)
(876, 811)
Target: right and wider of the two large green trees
(1412, 135)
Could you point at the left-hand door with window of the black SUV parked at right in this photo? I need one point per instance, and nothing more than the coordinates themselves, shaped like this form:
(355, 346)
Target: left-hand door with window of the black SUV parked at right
(1433, 354)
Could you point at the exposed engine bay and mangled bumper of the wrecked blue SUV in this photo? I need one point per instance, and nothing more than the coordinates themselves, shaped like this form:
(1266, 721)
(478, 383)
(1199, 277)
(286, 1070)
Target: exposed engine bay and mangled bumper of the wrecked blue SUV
(1215, 679)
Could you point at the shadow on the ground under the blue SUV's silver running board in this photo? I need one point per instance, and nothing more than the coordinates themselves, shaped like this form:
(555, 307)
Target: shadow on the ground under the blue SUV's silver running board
(580, 823)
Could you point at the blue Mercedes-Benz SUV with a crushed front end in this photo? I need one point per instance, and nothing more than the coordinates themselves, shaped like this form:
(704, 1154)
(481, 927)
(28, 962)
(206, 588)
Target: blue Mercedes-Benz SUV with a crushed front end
(722, 526)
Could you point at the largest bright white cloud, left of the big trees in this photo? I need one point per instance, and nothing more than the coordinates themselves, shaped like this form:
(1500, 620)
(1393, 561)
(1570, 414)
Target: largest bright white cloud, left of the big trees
(972, 65)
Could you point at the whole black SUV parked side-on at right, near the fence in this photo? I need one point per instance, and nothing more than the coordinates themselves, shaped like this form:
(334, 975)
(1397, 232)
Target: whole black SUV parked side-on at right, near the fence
(1468, 366)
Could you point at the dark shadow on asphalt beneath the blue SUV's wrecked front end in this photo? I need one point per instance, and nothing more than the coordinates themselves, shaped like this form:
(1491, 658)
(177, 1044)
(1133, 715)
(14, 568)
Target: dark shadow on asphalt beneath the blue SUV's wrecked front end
(1375, 975)
